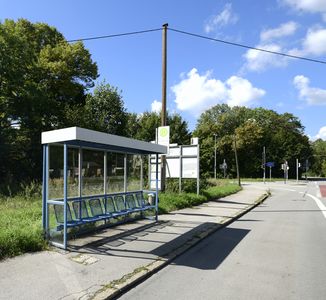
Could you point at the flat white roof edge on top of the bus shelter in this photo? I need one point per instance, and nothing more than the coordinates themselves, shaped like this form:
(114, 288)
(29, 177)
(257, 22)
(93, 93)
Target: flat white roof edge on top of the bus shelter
(96, 137)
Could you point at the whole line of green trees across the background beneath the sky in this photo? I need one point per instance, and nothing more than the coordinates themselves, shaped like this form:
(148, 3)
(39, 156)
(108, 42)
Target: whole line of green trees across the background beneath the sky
(47, 83)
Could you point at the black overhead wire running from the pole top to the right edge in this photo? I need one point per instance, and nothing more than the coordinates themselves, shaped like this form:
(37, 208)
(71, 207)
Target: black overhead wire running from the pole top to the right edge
(247, 47)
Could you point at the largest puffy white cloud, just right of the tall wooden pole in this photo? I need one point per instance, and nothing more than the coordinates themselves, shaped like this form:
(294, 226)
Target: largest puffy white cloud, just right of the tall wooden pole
(196, 93)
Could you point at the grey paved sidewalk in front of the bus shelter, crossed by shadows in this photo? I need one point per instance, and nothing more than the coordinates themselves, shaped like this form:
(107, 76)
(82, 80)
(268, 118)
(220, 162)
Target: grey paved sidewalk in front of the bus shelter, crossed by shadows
(102, 265)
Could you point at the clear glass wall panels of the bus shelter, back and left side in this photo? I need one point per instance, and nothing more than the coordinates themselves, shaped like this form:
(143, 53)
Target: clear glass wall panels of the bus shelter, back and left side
(92, 180)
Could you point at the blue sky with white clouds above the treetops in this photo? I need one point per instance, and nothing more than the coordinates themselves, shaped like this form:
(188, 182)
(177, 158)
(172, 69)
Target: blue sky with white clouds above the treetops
(201, 73)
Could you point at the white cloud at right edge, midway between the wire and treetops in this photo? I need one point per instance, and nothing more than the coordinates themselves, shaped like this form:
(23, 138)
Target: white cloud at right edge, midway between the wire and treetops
(312, 95)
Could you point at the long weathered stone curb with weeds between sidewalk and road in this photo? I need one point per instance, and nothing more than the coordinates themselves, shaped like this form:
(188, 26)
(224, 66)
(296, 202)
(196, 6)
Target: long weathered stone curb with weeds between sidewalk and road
(118, 287)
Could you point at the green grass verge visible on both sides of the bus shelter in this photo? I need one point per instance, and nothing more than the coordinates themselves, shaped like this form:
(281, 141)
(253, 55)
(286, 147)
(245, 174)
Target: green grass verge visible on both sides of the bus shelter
(21, 216)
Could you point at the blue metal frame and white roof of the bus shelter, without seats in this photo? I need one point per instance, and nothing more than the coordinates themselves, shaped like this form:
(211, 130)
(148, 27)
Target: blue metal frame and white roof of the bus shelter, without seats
(80, 138)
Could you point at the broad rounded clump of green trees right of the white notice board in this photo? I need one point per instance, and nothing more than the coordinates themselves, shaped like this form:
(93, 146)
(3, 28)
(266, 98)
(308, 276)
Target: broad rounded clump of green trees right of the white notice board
(281, 134)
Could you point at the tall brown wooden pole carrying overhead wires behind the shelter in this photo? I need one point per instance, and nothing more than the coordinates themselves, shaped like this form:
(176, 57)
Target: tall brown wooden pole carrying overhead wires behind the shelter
(163, 112)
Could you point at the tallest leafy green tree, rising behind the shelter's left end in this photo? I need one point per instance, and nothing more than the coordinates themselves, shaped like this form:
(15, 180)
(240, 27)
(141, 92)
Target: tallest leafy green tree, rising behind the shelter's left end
(40, 76)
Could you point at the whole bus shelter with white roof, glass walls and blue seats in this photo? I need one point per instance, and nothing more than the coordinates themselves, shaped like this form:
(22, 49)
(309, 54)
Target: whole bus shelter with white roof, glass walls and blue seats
(92, 178)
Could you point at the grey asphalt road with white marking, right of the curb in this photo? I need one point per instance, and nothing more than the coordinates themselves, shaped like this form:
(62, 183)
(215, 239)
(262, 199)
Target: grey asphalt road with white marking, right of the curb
(276, 251)
